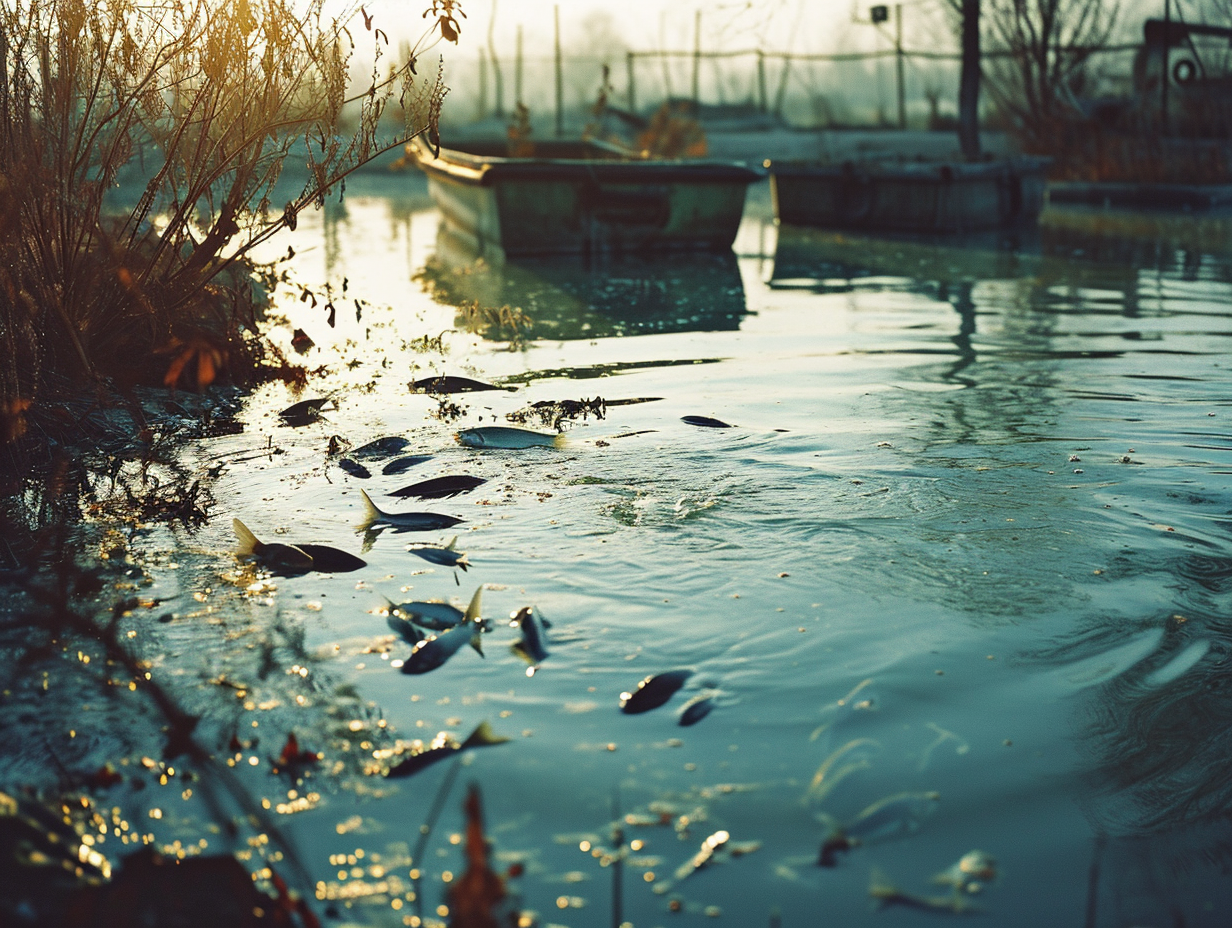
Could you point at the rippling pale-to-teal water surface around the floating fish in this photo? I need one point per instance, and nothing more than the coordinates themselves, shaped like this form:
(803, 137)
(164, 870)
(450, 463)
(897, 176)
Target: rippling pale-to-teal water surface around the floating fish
(985, 490)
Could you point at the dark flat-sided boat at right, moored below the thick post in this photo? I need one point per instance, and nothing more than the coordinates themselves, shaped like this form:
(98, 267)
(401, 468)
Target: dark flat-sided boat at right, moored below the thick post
(911, 198)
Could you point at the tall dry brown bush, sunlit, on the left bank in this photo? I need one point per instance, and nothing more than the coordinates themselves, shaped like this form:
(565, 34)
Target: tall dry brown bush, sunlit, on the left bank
(193, 109)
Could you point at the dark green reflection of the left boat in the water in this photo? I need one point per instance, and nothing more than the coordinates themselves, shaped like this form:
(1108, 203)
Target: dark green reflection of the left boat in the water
(572, 298)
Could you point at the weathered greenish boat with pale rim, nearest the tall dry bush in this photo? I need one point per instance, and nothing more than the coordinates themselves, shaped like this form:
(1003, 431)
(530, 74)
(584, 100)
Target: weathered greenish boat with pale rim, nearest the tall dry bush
(585, 199)
